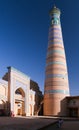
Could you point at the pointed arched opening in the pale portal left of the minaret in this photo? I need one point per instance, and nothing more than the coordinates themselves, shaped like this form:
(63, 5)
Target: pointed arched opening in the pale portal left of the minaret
(19, 102)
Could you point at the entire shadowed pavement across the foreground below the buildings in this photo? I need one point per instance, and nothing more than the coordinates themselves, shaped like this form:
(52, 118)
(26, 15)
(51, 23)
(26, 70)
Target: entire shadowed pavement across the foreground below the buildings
(36, 123)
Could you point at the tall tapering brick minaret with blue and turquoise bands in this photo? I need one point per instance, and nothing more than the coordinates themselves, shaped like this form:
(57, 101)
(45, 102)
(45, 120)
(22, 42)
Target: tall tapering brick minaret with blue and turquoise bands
(56, 75)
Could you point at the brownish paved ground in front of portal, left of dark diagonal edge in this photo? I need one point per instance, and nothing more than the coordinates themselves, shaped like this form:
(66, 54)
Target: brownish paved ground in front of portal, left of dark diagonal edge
(24, 123)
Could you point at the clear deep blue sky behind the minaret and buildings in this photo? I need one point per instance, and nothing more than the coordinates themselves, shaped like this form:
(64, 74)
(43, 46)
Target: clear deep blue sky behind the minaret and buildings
(24, 28)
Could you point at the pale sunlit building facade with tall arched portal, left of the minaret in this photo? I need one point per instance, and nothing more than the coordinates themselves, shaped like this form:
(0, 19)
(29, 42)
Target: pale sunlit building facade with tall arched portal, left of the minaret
(16, 95)
